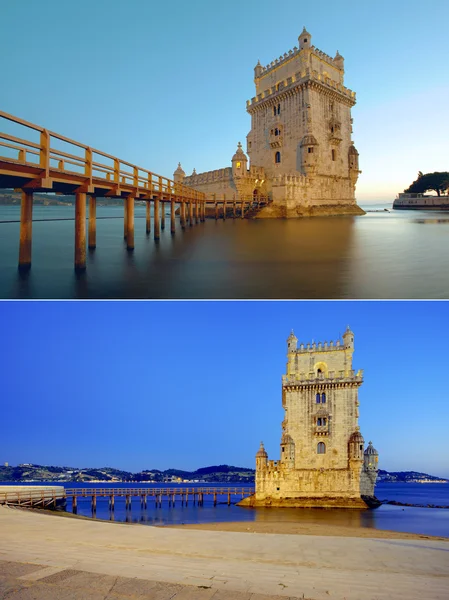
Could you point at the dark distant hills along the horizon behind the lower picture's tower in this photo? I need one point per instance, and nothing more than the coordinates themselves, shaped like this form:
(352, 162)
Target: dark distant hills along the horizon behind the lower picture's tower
(215, 473)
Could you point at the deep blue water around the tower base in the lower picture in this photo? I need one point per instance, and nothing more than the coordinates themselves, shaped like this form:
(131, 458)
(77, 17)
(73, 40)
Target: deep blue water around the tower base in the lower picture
(427, 521)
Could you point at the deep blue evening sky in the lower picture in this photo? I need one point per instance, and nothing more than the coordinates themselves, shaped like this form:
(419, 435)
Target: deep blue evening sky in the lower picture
(141, 385)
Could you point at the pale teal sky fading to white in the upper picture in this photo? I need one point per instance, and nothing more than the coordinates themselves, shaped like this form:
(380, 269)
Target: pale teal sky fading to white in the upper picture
(160, 82)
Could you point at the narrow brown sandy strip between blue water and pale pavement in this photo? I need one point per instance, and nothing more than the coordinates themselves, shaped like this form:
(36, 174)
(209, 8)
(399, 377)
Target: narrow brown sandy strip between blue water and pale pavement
(295, 528)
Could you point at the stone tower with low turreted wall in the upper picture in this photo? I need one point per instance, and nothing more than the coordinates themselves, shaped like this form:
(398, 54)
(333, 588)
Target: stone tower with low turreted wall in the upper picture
(300, 150)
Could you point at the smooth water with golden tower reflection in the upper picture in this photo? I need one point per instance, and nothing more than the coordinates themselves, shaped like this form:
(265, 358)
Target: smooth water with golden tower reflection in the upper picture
(398, 254)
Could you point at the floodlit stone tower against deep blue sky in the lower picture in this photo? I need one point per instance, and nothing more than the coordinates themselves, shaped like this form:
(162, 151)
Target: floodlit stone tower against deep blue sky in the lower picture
(323, 462)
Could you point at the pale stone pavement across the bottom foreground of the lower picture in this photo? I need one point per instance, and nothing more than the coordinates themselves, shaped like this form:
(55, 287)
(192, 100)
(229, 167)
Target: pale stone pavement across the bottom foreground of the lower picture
(151, 561)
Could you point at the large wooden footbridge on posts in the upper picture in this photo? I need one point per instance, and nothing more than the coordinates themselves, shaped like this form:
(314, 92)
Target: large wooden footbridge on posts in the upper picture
(32, 166)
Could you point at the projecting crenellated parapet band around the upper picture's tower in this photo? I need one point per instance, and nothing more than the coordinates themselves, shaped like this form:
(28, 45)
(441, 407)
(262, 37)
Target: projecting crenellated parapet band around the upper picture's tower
(297, 81)
